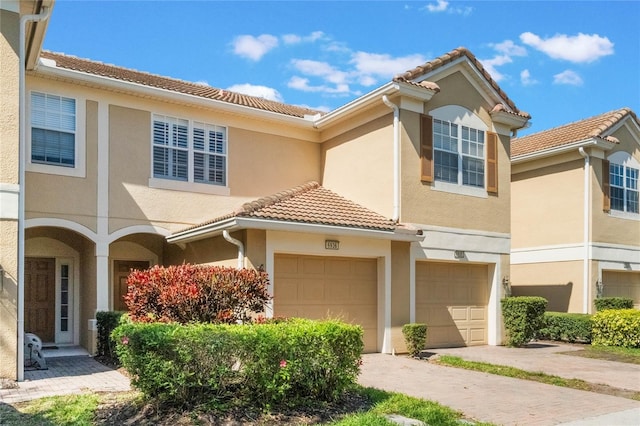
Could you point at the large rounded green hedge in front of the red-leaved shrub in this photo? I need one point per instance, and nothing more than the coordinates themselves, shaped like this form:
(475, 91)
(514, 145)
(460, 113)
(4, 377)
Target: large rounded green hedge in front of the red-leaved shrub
(285, 363)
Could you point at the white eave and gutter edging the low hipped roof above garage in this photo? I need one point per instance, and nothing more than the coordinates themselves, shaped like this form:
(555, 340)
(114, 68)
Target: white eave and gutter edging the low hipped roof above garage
(215, 229)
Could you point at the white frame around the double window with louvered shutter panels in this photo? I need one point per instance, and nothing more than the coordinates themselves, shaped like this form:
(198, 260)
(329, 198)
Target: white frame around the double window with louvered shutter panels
(190, 184)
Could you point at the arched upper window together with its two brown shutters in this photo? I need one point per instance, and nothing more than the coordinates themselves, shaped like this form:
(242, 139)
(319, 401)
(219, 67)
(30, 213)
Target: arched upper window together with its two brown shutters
(458, 153)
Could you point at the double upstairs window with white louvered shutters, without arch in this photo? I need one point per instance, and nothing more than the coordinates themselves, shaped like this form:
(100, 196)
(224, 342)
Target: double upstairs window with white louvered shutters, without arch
(189, 151)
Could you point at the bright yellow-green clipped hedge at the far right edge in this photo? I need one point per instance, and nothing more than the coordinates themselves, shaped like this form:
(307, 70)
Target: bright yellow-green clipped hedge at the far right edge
(617, 327)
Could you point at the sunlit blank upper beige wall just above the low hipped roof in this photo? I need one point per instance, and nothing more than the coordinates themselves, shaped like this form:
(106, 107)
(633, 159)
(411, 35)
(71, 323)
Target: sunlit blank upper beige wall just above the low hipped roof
(358, 163)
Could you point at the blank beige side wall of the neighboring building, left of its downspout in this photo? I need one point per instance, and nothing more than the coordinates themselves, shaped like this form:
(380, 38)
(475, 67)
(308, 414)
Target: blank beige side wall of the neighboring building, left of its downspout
(552, 196)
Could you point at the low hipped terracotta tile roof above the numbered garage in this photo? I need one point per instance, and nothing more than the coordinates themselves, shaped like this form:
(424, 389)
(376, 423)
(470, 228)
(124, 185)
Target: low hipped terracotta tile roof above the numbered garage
(313, 204)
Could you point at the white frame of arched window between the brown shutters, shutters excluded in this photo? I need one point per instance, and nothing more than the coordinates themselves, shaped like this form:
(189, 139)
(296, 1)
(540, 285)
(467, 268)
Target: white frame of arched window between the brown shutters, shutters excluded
(461, 117)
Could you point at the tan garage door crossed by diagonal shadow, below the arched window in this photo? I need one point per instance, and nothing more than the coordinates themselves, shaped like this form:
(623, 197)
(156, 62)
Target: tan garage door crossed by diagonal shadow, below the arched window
(452, 300)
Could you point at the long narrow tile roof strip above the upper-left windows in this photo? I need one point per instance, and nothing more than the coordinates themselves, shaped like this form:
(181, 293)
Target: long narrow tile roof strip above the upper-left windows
(172, 84)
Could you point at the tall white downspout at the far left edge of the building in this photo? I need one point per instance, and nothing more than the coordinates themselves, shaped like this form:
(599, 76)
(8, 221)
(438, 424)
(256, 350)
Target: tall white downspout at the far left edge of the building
(21, 179)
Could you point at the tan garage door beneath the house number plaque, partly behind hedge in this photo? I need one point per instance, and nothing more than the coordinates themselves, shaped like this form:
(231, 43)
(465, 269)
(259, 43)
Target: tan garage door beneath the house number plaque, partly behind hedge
(319, 287)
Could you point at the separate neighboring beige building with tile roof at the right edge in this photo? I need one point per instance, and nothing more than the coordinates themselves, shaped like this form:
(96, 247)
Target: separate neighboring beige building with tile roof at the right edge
(575, 215)
